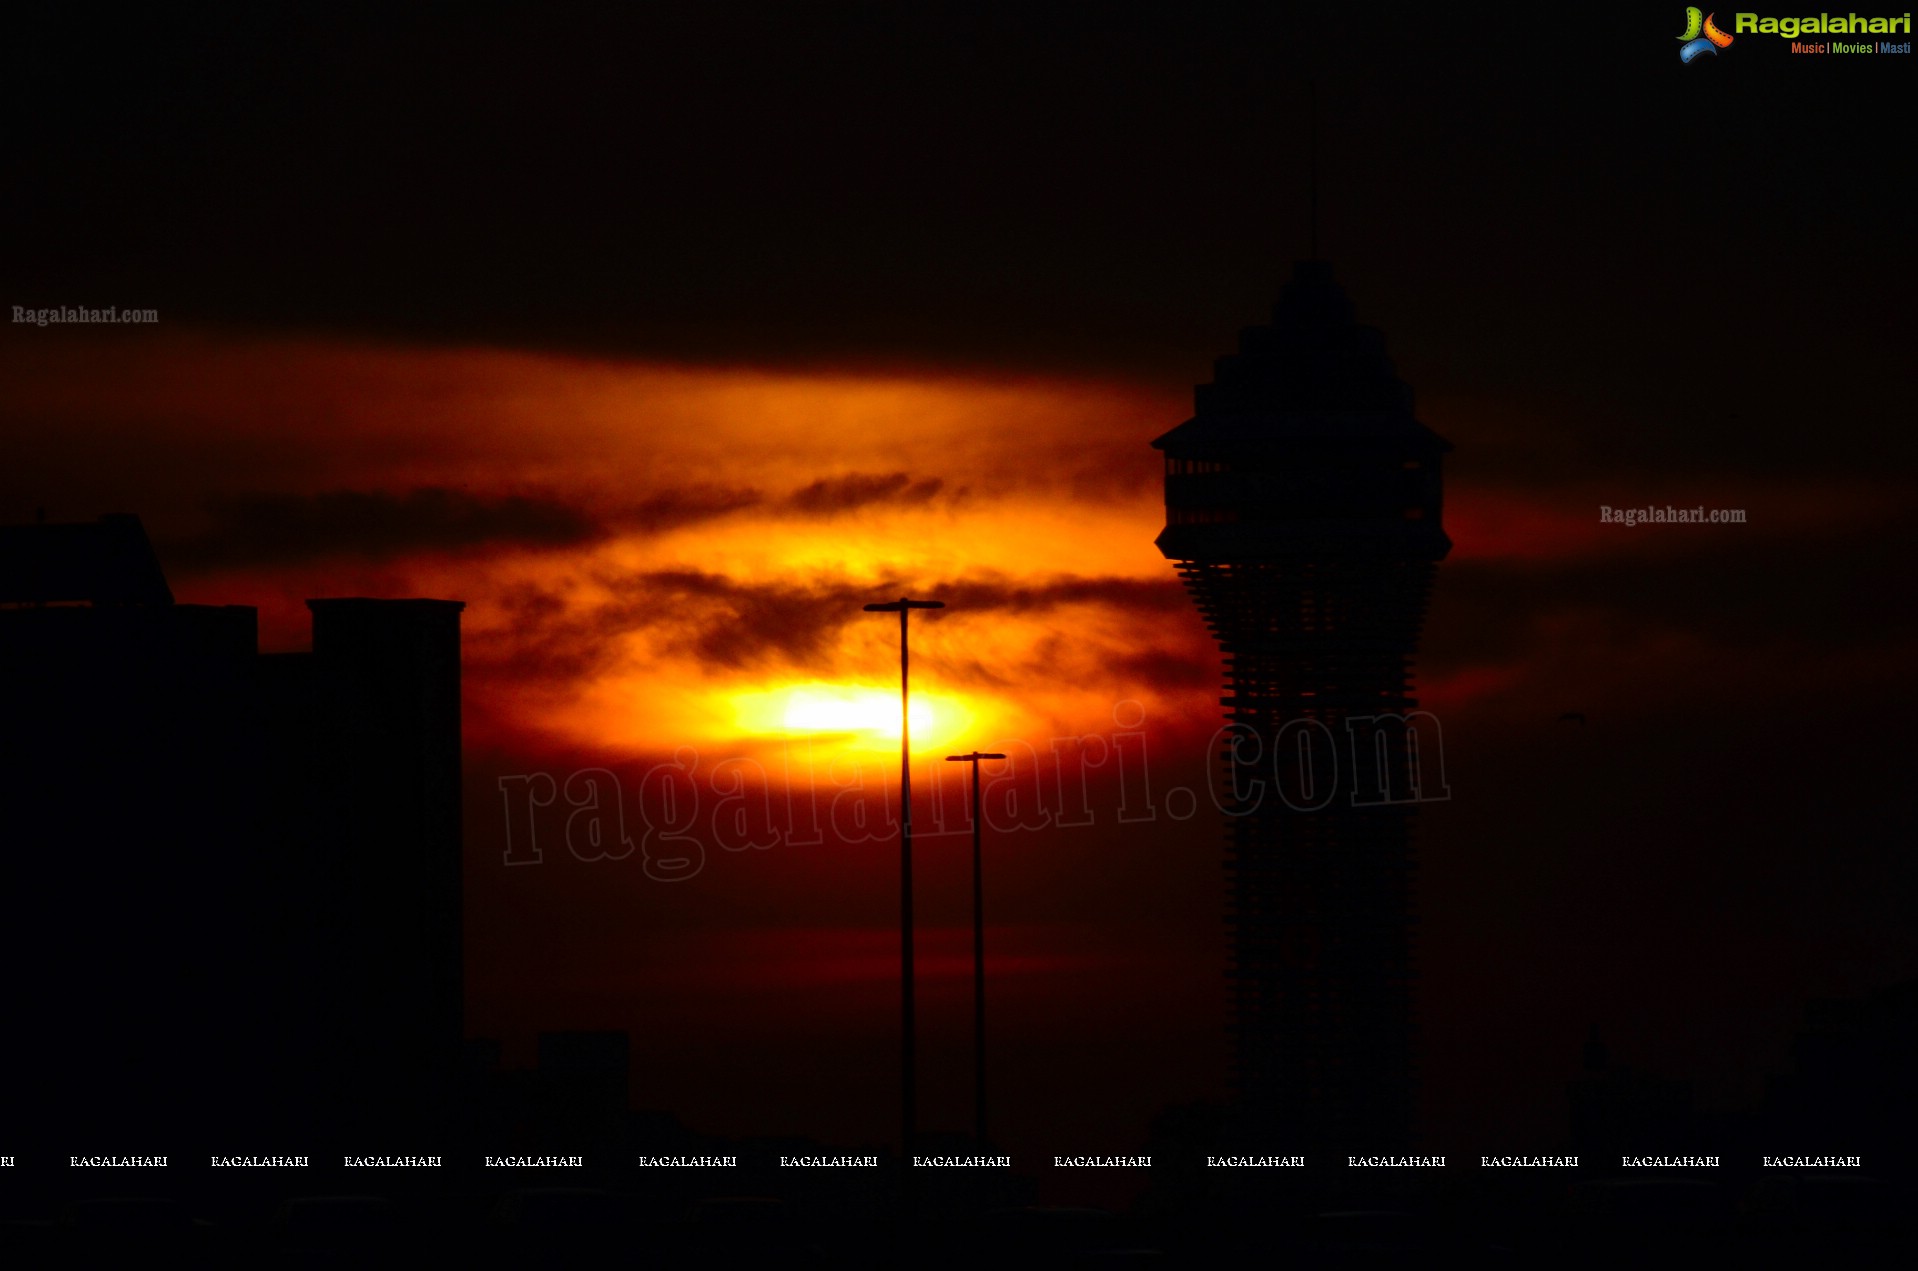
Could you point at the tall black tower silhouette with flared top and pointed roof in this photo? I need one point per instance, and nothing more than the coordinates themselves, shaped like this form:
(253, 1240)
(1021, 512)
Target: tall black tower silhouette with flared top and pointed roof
(1303, 505)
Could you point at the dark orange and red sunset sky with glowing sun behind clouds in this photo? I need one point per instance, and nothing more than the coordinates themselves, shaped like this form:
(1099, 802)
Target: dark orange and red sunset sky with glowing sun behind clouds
(670, 338)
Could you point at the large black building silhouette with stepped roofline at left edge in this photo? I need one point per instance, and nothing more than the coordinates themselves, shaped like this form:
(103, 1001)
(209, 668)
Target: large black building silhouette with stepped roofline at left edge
(229, 883)
